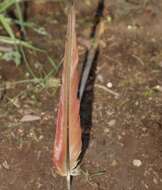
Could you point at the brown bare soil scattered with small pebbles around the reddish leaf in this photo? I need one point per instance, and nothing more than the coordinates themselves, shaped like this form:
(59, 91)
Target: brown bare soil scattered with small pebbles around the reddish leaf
(125, 145)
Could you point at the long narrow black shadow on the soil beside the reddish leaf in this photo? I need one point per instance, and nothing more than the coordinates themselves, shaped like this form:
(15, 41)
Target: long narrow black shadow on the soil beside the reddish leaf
(88, 95)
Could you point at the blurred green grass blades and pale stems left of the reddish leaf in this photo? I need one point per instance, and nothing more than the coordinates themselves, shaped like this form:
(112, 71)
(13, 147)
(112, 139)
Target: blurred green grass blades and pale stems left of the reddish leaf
(14, 40)
